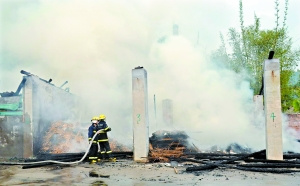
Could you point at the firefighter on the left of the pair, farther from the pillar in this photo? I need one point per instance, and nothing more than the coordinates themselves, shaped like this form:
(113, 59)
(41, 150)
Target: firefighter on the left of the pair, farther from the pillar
(94, 147)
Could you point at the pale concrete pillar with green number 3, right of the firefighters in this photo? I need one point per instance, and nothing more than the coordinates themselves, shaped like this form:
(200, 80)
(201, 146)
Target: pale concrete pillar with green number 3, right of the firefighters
(140, 115)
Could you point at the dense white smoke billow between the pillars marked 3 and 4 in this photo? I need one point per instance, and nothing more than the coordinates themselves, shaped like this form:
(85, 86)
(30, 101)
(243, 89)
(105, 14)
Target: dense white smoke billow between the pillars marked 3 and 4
(212, 104)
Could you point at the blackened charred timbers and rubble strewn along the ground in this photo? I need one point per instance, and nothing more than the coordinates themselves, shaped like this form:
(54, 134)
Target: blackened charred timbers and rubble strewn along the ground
(173, 146)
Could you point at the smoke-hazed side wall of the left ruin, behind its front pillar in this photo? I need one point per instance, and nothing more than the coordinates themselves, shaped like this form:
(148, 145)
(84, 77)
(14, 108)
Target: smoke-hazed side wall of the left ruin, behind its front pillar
(49, 104)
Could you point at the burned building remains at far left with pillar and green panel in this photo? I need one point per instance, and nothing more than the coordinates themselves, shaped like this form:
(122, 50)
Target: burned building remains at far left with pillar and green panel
(27, 114)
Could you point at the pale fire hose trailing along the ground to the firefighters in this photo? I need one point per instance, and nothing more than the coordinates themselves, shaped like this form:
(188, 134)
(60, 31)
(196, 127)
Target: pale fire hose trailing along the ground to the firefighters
(53, 161)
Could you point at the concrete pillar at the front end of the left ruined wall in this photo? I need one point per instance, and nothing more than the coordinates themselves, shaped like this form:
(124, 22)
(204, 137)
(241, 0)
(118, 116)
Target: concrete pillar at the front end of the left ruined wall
(28, 118)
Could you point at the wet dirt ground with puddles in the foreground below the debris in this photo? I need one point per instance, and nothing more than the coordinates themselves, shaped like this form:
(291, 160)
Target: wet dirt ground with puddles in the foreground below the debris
(127, 172)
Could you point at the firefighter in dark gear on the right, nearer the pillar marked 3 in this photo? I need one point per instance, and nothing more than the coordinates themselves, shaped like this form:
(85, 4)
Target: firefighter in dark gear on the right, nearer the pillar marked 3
(105, 151)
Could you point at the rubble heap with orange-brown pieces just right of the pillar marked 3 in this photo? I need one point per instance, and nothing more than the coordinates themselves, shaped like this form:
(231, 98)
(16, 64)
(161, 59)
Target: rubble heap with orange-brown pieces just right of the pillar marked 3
(168, 144)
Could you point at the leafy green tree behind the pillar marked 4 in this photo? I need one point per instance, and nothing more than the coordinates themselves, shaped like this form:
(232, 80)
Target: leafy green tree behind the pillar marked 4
(249, 47)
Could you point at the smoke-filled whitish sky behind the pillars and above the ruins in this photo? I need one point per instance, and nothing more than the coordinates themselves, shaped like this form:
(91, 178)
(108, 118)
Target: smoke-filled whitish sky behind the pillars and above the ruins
(94, 45)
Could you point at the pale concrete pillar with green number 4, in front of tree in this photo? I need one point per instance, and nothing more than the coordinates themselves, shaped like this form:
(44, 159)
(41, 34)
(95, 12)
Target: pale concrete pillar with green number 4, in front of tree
(272, 100)
